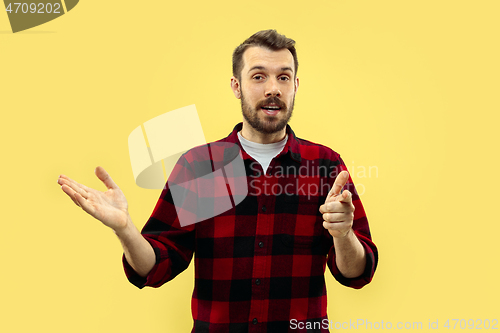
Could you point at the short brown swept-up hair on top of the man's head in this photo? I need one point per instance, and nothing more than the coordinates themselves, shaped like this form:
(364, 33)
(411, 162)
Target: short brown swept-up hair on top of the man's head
(270, 39)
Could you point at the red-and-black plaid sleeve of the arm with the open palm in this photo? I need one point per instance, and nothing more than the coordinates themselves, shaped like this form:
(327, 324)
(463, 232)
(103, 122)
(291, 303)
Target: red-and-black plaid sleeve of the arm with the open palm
(172, 243)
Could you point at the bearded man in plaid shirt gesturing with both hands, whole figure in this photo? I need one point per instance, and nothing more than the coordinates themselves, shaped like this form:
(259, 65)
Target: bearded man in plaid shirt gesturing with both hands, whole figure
(259, 266)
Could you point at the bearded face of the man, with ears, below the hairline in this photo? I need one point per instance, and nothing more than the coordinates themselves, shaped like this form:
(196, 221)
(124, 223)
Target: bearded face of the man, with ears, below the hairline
(267, 88)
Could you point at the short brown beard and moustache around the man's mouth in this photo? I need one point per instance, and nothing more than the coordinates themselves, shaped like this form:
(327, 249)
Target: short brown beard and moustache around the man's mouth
(269, 124)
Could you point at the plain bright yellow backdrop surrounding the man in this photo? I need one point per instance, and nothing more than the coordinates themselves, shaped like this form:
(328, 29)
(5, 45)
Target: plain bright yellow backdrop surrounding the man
(409, 87)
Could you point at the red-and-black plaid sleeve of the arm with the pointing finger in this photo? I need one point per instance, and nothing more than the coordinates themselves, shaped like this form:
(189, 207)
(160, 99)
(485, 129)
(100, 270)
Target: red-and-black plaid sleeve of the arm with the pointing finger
(362, 231)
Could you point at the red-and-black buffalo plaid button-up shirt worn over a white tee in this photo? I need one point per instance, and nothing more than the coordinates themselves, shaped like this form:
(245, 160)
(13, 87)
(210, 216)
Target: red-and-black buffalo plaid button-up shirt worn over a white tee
(259, 266)
